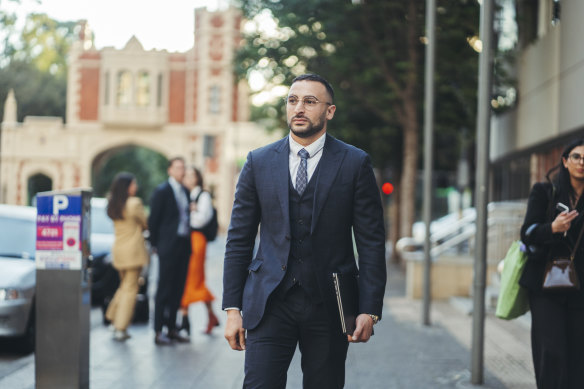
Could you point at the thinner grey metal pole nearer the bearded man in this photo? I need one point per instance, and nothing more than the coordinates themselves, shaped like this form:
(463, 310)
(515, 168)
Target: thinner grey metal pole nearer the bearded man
(428, 151)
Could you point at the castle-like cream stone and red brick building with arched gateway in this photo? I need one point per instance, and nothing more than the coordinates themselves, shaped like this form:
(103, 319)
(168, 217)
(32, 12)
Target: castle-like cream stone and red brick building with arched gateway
(177, 104)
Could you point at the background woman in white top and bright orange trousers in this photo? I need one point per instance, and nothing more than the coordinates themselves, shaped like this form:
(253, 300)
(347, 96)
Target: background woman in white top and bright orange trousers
(195, 288)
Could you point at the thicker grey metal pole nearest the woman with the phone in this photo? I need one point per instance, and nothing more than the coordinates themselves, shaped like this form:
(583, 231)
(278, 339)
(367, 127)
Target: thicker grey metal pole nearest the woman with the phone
(481, 193)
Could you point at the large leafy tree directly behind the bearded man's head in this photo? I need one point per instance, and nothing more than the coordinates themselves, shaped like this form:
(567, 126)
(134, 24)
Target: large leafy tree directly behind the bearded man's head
(373, 53)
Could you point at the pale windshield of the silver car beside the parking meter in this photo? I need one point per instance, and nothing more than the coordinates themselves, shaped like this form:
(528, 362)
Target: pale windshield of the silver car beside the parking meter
(17, 237)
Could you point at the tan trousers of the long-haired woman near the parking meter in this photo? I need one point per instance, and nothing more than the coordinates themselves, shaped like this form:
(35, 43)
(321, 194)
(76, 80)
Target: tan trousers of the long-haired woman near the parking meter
(121, 309)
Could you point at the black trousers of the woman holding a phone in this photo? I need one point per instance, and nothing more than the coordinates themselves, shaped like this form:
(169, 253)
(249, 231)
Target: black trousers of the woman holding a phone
(557, 339)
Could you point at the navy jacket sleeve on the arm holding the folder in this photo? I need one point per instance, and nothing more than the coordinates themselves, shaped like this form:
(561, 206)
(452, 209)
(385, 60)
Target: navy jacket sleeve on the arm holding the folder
(369, 231)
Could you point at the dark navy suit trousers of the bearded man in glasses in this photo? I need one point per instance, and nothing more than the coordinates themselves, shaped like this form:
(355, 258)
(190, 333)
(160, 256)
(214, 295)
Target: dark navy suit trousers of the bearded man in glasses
(290, 320)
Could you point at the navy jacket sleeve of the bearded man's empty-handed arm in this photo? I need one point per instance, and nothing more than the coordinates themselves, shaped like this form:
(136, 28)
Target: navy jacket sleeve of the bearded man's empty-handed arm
(243, 228)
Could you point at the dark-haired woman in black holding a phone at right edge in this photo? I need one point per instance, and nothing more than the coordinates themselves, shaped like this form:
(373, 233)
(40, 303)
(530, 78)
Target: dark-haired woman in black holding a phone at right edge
(557, 317)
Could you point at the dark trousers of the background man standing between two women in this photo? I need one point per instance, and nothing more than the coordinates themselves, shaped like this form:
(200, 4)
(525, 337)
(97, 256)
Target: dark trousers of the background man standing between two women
(172, 274)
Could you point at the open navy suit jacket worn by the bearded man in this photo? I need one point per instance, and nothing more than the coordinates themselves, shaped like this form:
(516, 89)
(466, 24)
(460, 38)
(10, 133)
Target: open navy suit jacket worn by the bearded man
(346, 199)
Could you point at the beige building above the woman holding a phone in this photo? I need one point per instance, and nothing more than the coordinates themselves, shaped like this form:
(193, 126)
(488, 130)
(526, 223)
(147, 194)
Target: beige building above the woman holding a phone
(527, 140)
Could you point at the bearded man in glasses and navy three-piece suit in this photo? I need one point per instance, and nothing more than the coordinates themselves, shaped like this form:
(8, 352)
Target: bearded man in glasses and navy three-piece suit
(307, 193)
